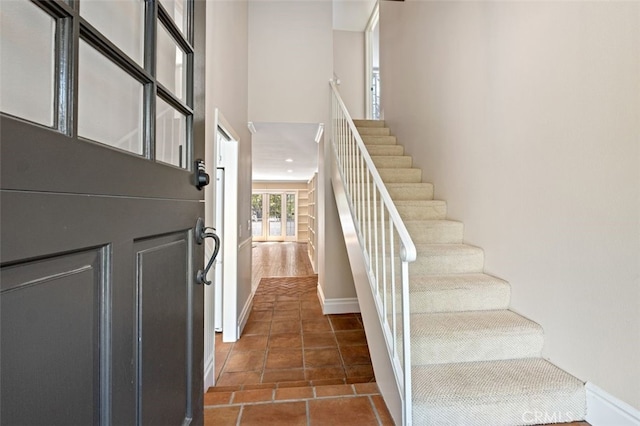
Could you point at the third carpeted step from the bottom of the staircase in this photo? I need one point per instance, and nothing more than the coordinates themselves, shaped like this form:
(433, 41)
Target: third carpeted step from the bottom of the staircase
(458, 292)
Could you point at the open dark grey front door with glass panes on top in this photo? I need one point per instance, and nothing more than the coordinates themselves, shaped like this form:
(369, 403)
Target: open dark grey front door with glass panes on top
(102, 119)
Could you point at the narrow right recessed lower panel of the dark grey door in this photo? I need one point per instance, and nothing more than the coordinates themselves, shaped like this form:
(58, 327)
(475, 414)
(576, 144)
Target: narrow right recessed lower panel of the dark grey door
(162, 265)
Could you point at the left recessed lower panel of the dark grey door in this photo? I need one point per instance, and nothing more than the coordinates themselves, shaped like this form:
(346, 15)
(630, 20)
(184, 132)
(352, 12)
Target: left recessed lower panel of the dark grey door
(51, 317)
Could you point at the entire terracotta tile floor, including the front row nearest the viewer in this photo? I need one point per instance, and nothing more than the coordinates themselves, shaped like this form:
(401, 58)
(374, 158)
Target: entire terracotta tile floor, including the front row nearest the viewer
(295, 366)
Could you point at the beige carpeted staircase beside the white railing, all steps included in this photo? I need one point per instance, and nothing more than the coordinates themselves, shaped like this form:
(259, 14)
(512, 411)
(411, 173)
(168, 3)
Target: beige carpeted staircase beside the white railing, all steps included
(474, 362)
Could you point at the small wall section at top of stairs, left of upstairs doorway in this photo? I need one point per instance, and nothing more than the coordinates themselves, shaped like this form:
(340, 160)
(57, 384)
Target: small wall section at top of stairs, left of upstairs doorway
(348, 65)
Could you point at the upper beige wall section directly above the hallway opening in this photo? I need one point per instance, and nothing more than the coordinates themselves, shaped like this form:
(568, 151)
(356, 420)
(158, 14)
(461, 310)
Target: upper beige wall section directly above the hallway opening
(290, 61)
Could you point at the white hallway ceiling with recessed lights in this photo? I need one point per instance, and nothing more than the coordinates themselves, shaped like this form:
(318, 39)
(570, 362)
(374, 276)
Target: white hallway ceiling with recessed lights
(274, 143)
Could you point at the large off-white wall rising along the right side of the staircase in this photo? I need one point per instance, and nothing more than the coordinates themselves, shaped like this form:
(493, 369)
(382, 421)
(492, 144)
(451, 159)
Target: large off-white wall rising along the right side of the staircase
(526, 116)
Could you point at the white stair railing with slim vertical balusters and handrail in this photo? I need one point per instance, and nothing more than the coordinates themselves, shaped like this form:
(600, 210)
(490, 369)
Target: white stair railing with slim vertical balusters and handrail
(384, 240)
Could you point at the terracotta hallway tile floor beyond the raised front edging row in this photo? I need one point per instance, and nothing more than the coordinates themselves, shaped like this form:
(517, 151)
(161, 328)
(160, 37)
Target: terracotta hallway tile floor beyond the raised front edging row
(288, 339)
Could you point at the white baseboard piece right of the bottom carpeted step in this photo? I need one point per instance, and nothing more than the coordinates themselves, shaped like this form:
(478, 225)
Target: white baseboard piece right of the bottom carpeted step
(604, 409)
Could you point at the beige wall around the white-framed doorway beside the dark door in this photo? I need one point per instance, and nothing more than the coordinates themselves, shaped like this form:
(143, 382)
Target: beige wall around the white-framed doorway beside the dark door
(227, 80)
